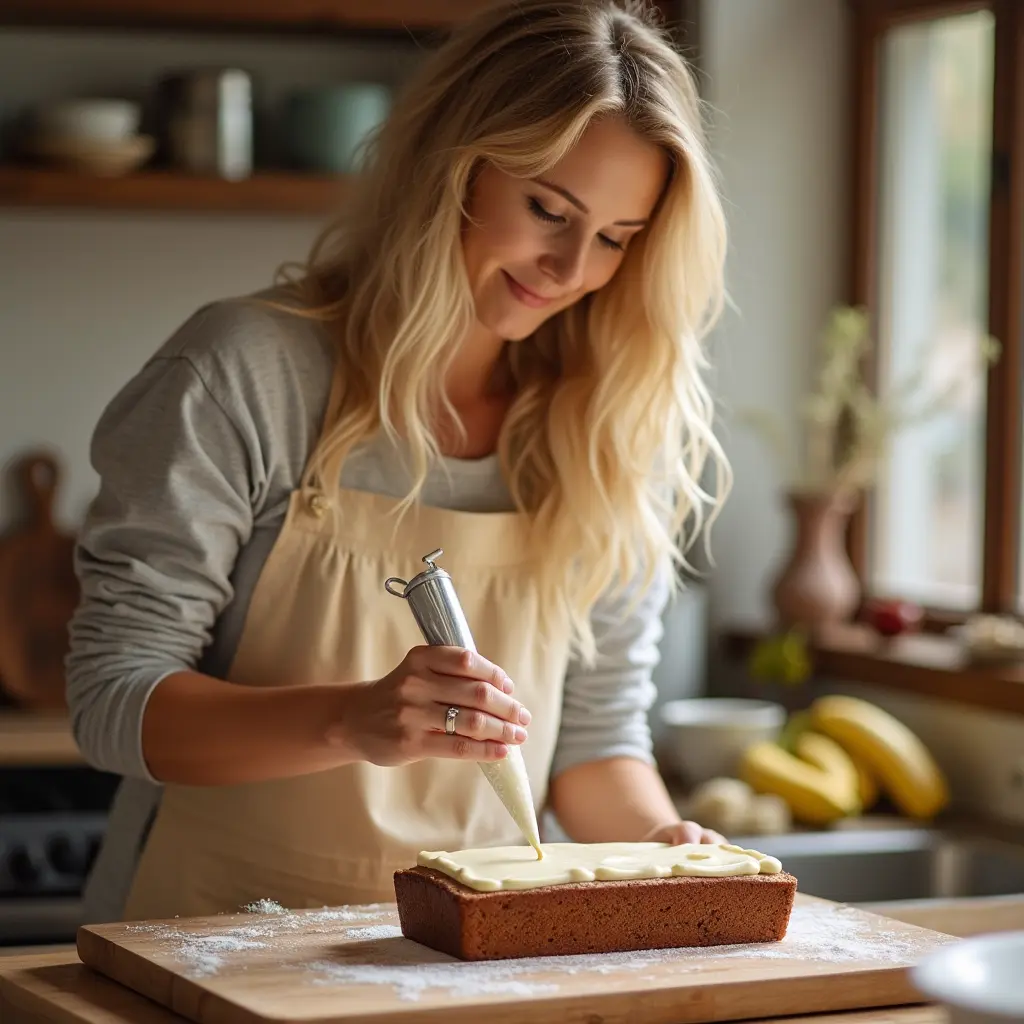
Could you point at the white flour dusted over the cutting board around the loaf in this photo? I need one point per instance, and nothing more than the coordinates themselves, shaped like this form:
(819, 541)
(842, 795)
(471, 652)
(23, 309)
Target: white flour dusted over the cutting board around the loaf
(818, 933)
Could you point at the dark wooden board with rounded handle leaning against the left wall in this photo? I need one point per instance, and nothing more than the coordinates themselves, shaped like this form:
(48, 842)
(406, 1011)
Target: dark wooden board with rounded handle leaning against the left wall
(38, 593)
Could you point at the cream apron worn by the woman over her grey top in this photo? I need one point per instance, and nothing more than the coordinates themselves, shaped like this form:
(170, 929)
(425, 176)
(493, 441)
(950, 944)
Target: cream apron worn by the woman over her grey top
(319, 615)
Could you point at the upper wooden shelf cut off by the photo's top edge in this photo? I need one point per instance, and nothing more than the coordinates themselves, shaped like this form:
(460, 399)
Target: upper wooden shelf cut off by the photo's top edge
(296, 15)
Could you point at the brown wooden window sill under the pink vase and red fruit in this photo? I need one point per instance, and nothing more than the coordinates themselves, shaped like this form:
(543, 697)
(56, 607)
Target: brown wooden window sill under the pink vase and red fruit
(927, 664)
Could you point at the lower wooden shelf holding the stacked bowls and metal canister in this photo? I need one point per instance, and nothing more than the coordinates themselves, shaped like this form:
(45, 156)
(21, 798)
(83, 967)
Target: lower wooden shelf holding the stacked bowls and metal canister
(271, 193)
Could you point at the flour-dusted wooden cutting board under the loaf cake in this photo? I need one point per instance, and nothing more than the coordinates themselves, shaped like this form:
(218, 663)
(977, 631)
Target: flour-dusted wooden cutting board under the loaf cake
(338, 966)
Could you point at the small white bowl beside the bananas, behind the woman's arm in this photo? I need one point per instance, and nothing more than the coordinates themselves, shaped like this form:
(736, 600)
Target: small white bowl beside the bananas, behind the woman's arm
(708, 736)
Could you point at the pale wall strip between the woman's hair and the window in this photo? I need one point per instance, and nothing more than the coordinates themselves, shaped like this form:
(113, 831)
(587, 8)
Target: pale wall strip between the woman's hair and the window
(777, 75)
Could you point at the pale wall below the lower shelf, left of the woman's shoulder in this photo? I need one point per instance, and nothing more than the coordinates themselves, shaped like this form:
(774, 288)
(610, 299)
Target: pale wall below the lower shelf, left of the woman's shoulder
(84, 301)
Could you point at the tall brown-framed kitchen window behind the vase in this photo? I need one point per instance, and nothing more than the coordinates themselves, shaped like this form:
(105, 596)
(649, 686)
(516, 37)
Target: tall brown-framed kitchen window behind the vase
(938, 233)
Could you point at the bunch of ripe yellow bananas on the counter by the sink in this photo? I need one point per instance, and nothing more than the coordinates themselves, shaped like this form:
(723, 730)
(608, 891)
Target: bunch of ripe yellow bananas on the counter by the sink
(836, 759)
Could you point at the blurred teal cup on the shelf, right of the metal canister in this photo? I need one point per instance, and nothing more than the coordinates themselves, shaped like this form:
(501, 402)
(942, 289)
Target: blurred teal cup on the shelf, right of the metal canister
(325, 129)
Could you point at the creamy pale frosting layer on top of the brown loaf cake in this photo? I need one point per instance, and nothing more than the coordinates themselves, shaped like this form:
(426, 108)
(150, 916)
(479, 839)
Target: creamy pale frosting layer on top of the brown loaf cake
(519, 868)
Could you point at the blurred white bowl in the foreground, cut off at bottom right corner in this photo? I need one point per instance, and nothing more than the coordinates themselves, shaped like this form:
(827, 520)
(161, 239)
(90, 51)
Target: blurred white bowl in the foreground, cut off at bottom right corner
(979, 980)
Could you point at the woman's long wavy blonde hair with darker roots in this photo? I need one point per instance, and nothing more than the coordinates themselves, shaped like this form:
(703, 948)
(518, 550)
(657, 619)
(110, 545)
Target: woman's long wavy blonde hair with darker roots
(609, 437)
